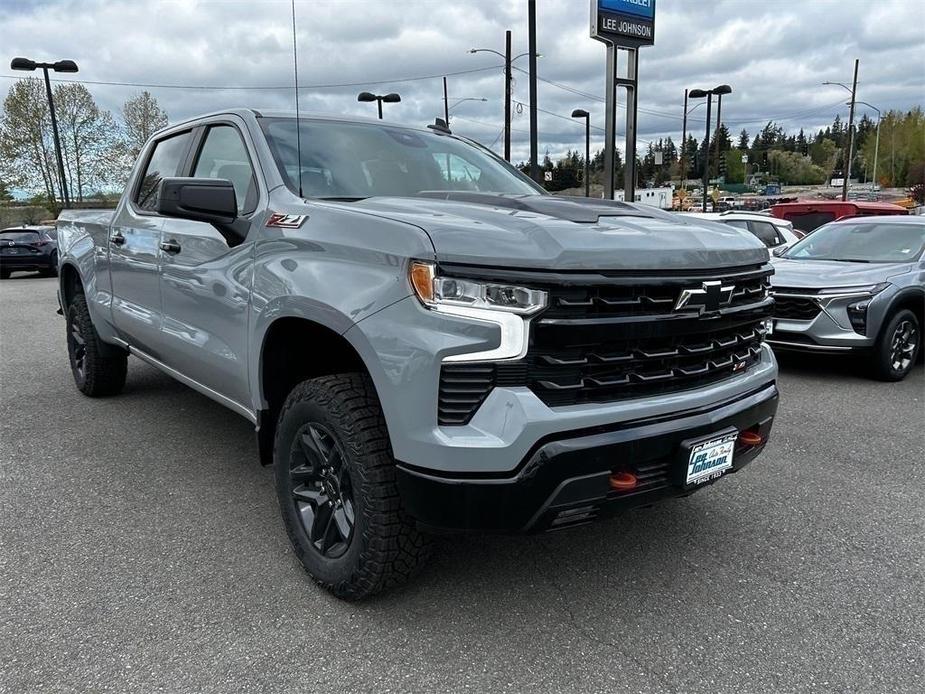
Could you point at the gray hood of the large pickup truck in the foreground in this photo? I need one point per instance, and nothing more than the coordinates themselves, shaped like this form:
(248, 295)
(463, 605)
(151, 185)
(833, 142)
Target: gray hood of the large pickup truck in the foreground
(563, 233)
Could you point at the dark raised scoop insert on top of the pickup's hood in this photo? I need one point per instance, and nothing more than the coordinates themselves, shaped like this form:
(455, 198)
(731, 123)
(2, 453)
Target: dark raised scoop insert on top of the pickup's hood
(568, 208)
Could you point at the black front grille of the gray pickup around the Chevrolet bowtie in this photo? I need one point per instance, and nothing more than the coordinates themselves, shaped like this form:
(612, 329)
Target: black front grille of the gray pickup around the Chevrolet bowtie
(607, 338)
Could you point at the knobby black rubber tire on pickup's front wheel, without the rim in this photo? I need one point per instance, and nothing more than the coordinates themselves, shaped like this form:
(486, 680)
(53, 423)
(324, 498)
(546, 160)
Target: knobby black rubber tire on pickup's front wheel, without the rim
(384, 548)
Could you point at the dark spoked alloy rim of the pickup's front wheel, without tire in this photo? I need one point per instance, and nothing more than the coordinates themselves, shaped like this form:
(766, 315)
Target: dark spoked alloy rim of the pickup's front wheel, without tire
(322, 490)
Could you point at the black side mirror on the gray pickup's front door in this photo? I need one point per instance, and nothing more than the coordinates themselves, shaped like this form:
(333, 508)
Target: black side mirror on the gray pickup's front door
(209, 200)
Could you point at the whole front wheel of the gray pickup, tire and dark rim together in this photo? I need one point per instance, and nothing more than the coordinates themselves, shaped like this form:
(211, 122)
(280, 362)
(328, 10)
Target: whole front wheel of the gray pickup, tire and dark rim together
(337, 491)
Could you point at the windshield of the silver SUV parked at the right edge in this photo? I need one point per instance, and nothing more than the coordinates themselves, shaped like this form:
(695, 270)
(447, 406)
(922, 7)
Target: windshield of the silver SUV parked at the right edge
(863, 242)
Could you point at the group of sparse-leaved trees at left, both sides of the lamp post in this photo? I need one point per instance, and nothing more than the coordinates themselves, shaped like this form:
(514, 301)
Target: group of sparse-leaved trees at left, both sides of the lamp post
(98, 149)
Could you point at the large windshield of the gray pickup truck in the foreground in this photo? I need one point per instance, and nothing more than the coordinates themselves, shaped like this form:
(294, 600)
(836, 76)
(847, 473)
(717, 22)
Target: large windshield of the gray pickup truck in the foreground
(359, 160)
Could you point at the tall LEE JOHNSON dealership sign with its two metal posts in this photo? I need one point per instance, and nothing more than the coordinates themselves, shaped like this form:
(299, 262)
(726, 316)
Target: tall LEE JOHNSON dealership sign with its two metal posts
(624, 26)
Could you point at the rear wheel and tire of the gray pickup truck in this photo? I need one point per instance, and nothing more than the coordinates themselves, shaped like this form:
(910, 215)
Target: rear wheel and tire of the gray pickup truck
(99, 369)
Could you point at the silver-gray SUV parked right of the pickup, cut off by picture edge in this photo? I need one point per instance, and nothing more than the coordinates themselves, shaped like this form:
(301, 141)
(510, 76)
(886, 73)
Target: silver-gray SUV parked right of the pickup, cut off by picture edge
(855, 286)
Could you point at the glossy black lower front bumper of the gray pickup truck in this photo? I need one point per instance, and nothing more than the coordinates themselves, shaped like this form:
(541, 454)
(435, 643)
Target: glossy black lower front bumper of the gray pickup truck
(564, 478)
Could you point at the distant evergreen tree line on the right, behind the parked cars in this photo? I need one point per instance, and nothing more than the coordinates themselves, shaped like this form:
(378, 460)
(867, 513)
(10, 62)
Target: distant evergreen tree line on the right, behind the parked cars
(771, 154)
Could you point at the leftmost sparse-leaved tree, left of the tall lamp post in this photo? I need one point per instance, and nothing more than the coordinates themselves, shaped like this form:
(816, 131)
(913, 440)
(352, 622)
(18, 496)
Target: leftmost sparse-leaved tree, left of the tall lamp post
(27, 156)
